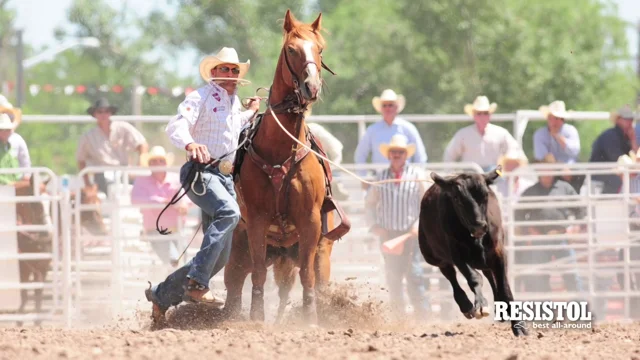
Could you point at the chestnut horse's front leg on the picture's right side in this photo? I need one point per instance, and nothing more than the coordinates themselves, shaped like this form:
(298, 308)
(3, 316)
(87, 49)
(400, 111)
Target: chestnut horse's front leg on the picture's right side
(309, 238)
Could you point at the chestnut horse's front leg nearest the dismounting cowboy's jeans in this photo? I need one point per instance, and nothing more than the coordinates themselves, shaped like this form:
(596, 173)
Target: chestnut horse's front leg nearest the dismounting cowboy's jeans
(258, 249)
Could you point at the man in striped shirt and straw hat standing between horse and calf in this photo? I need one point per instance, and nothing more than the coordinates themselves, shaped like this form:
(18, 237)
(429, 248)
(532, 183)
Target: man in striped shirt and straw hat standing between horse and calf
(395, 208)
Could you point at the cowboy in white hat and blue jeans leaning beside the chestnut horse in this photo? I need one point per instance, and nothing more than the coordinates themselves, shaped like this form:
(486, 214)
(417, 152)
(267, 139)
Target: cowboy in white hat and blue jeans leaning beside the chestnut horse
(207, 126)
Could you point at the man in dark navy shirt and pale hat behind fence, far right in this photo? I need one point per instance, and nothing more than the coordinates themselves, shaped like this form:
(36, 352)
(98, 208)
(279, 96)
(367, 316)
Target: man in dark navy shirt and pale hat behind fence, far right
(612, 143)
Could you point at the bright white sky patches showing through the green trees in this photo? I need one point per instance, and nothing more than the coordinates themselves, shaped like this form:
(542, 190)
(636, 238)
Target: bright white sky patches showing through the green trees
(49, 14)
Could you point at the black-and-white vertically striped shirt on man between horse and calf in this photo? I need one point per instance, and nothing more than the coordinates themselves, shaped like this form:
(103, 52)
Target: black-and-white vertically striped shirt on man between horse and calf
(397, 205)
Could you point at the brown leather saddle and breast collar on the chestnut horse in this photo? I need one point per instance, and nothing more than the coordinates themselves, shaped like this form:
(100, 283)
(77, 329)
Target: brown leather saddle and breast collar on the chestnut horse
(277, 175)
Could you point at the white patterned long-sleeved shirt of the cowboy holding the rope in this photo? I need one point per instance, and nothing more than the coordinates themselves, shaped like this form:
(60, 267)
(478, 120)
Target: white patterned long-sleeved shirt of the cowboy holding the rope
(211, 117)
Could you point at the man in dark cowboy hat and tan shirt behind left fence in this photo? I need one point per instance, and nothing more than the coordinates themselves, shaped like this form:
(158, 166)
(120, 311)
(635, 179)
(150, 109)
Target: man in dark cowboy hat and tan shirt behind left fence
(107, 144)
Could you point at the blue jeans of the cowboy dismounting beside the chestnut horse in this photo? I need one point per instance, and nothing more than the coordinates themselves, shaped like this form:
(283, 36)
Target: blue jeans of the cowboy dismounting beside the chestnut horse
(219, 202)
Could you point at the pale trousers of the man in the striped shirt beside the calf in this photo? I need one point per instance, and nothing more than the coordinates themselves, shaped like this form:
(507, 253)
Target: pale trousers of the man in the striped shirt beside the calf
(406, 265)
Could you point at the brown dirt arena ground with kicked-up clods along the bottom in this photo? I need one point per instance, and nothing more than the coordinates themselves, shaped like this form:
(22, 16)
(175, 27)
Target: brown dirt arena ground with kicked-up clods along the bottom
(348, 330)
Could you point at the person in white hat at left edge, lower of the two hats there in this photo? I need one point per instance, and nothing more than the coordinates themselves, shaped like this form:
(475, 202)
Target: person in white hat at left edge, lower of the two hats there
(14, 152)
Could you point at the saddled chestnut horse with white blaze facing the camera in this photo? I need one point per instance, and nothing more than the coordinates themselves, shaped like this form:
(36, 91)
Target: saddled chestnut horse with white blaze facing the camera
(282, 192)
